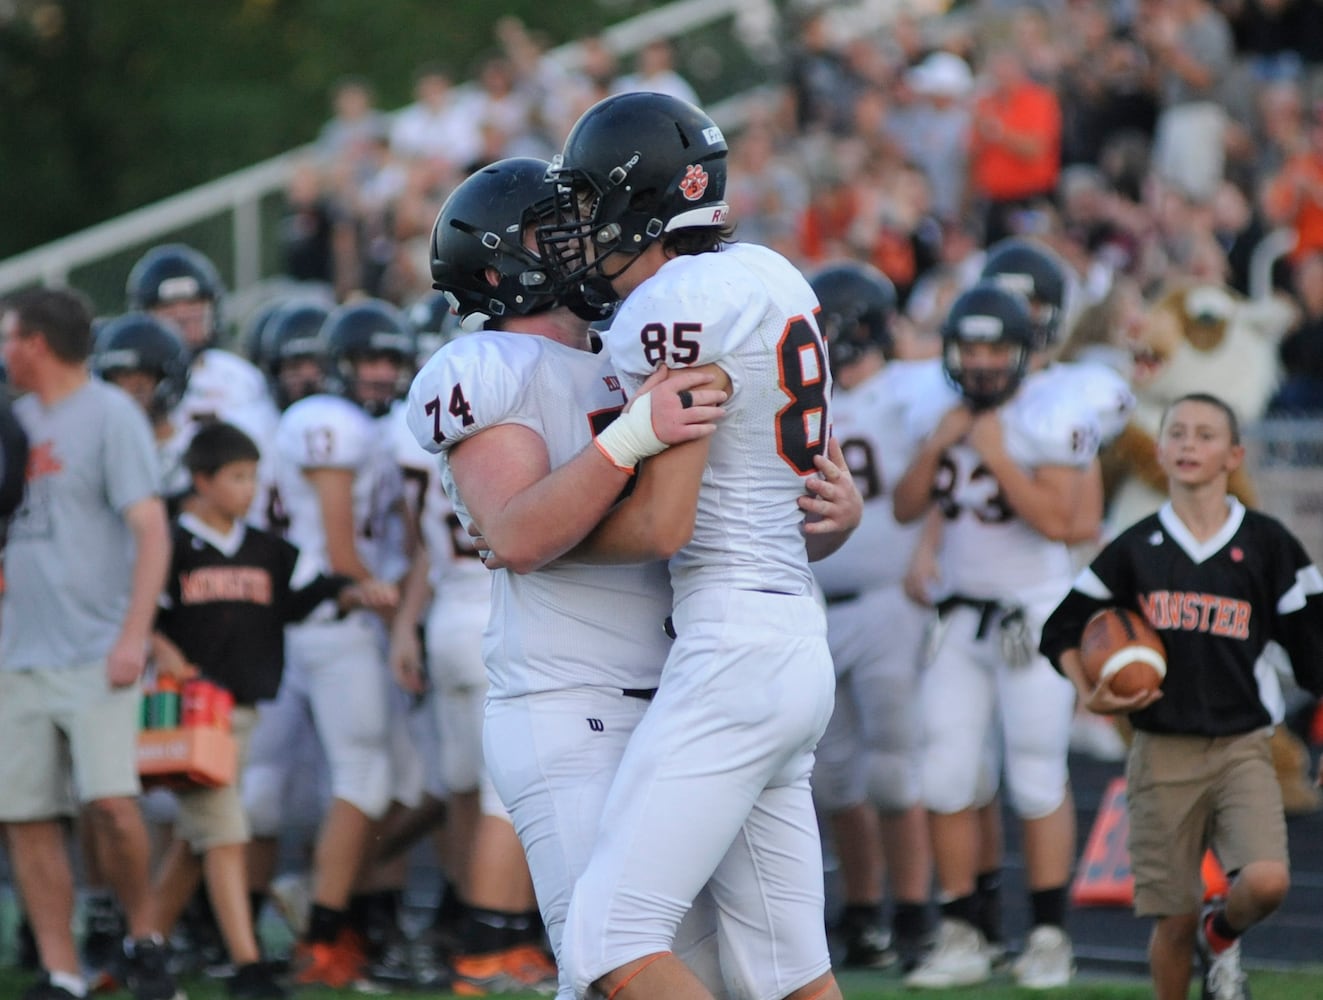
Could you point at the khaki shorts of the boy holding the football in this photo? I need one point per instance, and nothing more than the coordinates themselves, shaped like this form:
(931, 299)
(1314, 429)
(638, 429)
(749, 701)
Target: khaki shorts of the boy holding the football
(1189, 794)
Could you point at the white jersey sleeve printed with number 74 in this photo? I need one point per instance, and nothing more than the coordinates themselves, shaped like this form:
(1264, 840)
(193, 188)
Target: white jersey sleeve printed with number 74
(472, 384)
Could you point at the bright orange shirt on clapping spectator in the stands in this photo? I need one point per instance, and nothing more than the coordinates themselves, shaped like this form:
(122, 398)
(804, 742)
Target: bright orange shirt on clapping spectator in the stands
(998, 173)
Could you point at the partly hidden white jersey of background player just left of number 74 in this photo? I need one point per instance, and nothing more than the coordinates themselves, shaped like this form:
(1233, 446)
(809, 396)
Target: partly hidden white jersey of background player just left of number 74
(454, 568)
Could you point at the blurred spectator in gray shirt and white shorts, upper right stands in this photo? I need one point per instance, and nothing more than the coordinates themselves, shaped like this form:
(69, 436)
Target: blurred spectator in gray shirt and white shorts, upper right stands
(1190, 46)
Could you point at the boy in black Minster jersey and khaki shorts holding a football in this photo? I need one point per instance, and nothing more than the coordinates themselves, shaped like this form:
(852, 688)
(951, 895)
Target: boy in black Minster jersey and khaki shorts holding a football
(1218, 583)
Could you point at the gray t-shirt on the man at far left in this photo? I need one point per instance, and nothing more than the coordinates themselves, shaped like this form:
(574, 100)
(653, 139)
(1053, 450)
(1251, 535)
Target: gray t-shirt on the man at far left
(69, 559)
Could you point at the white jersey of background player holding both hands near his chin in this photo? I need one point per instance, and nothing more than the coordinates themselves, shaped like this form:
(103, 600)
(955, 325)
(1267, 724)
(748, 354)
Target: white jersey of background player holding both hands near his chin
(988, 551)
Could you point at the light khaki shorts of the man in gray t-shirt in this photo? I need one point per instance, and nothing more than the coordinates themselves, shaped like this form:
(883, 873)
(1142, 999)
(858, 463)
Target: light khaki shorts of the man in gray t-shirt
(65, 737)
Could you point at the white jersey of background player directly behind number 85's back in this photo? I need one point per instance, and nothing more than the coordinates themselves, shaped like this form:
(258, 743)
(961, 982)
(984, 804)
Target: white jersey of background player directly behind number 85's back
(870, 425)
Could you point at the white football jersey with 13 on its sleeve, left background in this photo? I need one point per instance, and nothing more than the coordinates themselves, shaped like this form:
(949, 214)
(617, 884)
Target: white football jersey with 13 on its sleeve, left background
(329, 432)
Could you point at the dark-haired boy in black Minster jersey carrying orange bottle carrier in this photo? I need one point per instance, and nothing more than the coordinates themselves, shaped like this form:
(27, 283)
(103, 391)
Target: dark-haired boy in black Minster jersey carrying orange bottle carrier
(231, 592)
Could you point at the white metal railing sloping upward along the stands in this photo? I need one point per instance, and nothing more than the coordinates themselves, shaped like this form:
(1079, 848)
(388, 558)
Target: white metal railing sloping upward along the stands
(240, 195)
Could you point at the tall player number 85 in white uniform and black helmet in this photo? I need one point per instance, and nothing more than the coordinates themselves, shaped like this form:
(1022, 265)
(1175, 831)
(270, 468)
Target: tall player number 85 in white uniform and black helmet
(724, 755)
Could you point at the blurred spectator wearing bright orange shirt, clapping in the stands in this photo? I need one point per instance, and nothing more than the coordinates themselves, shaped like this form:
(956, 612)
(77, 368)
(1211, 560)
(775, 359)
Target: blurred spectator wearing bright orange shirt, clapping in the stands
(1015, 146)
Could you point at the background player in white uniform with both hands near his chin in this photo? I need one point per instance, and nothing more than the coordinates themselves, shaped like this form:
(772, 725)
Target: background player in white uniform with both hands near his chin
(1010, 476)
